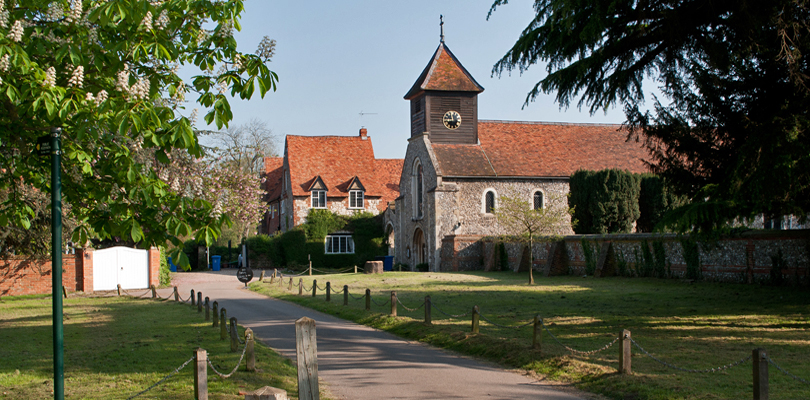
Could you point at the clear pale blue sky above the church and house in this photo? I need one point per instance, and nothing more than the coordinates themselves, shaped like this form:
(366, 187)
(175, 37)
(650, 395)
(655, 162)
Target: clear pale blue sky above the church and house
(338, 59)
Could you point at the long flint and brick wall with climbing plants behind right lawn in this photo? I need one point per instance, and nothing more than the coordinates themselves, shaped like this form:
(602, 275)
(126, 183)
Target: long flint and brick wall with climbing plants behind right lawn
(745, 258)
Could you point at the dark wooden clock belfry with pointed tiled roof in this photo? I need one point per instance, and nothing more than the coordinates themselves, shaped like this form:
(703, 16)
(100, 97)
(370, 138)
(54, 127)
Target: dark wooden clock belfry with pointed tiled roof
(444, 101)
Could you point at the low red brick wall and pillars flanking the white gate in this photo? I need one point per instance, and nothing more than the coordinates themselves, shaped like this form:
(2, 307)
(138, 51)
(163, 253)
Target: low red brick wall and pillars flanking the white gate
(27, 275)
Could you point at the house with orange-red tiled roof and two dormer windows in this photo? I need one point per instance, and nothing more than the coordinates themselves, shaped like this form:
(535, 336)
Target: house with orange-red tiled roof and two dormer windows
(338, 173)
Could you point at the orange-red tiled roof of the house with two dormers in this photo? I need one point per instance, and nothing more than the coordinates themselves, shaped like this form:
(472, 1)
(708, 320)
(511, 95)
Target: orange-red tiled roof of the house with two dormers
(337, 160)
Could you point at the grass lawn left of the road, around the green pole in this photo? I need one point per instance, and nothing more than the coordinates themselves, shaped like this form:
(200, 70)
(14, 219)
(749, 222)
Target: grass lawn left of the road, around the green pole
(116, 347)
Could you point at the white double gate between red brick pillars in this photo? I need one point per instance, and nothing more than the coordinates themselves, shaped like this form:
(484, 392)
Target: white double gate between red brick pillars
(120, 265)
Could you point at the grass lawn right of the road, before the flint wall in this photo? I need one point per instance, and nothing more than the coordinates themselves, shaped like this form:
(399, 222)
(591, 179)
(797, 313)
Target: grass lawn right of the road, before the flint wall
(691, 325)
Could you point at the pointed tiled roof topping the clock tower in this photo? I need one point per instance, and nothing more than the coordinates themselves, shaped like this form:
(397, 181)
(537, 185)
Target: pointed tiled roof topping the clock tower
(444, 73)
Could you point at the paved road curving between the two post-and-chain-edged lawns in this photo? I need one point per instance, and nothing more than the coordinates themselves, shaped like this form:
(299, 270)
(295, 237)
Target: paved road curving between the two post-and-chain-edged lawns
(357, 362)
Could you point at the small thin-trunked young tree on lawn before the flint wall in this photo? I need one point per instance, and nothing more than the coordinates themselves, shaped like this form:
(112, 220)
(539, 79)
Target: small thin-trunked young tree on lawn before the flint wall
(516, 216)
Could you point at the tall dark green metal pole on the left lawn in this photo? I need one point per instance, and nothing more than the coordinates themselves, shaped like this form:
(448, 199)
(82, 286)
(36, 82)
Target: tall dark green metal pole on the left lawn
(56, 266)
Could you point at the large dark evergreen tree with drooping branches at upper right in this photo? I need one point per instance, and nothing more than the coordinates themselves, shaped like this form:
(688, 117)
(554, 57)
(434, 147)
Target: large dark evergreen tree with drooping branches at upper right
(733, 132)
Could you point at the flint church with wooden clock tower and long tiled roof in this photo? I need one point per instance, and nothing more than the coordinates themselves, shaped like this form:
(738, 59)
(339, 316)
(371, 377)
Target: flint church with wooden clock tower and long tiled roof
(456, 166)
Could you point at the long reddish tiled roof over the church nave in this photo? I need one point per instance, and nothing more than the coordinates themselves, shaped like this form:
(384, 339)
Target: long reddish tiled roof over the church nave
(541, 149)
